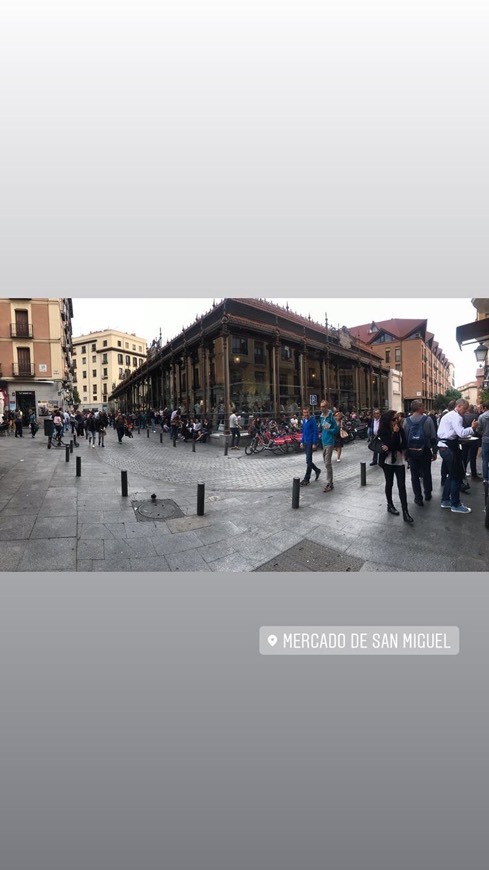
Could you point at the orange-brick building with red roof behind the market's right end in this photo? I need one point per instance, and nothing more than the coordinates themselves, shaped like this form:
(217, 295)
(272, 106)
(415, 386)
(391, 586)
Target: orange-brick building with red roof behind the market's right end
(408, 346)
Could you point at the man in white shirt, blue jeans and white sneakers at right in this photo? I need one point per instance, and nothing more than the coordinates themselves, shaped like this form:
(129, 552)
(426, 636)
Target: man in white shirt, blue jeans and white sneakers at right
(450, 430)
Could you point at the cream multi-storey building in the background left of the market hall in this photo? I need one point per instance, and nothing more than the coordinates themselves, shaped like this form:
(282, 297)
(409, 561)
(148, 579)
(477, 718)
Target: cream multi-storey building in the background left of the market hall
(101, 360)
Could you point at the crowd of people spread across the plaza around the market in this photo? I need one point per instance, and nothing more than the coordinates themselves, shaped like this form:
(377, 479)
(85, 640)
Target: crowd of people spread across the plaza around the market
(399, 443)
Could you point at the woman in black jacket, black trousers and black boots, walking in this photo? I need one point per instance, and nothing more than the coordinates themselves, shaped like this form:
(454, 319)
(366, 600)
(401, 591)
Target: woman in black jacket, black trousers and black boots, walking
(393, 462)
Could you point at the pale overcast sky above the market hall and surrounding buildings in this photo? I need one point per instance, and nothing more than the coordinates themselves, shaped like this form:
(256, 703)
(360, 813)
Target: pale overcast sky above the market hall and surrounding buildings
(145, 317)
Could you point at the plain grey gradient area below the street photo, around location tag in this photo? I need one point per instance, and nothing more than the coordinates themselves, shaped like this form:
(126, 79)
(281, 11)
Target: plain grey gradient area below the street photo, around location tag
(140, 726)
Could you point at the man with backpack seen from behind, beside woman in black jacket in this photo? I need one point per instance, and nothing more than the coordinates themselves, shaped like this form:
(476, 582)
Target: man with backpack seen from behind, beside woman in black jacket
(421, 450)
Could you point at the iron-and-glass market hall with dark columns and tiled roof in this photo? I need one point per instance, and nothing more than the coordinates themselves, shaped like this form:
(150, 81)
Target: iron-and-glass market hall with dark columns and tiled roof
(256, 357)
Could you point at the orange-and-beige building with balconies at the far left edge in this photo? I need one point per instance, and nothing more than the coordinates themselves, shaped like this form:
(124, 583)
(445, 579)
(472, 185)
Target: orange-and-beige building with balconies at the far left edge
(35, 354)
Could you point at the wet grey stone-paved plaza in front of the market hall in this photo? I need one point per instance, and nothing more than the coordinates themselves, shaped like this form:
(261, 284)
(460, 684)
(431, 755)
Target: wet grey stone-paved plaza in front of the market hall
(52, 520)
